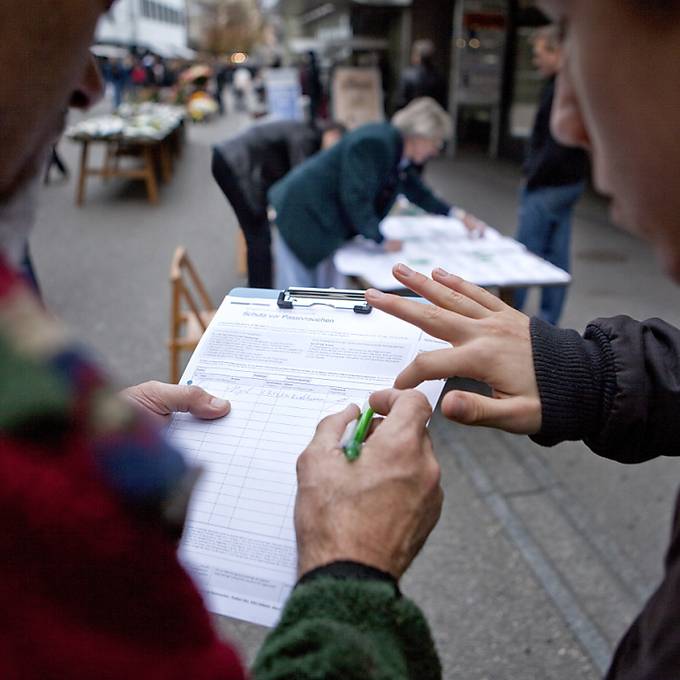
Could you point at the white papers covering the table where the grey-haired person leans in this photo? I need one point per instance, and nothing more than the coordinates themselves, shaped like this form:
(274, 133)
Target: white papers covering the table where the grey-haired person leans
(430, 242)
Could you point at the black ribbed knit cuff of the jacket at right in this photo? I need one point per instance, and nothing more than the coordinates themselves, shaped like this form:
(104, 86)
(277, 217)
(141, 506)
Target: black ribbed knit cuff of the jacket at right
(572, 374)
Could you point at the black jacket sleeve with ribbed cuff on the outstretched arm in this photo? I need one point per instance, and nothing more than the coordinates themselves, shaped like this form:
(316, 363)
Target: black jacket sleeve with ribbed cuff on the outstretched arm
(617, 388)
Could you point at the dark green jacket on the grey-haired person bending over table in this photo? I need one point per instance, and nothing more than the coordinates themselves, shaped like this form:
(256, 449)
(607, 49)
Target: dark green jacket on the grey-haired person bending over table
(346, 191)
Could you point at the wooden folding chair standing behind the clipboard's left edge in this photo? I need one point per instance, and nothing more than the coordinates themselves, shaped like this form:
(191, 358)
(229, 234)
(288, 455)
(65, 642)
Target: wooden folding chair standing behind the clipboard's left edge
(191, 310)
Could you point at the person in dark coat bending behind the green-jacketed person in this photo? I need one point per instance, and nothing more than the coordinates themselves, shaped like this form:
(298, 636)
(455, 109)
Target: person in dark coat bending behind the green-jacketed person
(246, 166)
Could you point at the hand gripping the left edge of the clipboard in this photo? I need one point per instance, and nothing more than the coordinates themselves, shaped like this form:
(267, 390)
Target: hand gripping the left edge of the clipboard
(161, 400)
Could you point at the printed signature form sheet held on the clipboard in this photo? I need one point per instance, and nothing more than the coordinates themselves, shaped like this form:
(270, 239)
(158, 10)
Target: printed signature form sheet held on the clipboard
(282, 370)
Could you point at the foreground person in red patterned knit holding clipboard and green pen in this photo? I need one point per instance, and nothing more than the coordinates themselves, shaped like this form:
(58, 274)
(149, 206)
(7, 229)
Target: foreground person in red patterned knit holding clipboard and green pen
(93, 496)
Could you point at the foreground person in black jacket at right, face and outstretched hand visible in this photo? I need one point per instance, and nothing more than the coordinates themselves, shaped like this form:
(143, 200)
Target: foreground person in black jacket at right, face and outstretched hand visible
(617, 386)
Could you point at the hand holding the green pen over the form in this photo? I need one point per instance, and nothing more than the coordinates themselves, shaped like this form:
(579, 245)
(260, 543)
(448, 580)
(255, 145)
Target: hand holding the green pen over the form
(379, 509)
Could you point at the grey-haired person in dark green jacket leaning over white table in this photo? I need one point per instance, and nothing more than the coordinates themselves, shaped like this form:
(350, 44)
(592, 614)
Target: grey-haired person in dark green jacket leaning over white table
(349, 189)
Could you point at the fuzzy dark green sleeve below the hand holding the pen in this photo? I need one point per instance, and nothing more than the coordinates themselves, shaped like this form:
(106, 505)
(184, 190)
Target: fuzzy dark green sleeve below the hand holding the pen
(348, 629)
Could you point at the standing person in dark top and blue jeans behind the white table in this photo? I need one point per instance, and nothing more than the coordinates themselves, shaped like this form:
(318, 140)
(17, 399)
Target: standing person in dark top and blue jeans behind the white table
(555, 179)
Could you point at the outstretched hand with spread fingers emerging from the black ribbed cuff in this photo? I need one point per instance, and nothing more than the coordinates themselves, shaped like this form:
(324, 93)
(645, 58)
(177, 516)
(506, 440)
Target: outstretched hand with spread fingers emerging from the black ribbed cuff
(491, 343)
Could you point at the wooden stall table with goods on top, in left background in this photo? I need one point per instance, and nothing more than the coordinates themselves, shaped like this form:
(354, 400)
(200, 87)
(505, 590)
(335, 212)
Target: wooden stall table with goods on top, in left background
(153, 136)
